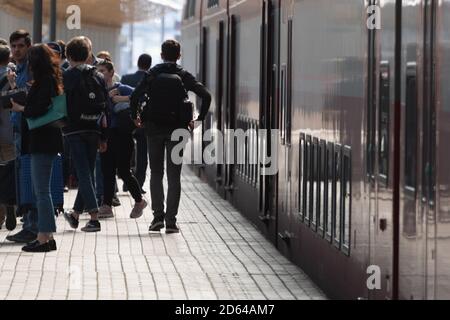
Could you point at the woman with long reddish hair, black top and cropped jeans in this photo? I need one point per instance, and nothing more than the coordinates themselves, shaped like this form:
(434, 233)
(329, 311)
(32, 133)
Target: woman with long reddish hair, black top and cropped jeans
(43, 144)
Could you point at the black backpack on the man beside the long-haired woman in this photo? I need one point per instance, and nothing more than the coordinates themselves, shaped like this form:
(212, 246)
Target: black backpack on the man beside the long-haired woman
(89, 98)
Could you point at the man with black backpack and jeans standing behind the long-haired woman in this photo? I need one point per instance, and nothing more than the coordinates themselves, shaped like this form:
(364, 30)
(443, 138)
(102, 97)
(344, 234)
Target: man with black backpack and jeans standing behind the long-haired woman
(87, 101)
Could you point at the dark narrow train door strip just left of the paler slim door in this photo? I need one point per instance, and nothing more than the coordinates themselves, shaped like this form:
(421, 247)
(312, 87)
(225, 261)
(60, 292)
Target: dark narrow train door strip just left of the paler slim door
(269, 109)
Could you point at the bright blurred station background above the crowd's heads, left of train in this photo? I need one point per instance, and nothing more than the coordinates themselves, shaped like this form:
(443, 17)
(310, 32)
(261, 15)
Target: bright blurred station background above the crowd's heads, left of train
(125, 28)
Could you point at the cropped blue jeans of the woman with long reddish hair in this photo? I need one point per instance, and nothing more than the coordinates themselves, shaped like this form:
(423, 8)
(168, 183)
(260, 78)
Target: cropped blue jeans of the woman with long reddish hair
(41, 173)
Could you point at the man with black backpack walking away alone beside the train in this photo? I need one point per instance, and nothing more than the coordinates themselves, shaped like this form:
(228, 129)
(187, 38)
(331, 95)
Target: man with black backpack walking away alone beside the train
(166, 86)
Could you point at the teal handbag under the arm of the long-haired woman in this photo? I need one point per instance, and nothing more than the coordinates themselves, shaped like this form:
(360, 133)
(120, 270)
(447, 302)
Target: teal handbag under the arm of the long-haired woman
(55, 117)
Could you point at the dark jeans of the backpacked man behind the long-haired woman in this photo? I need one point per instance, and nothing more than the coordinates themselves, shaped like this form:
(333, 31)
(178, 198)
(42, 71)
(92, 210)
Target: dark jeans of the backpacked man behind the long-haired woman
(83, 148)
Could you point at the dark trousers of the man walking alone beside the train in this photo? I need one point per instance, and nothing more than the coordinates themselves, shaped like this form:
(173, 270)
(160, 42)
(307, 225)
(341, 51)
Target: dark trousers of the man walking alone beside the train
(158, 145)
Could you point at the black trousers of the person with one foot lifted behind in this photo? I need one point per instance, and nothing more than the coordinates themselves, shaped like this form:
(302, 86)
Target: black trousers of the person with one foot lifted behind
(117, 159)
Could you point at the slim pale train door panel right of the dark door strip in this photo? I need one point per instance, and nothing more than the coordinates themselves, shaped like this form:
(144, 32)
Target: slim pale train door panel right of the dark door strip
(285, 187)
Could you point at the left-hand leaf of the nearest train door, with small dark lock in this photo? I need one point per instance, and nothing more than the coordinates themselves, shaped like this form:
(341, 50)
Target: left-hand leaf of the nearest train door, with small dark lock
(380, 170)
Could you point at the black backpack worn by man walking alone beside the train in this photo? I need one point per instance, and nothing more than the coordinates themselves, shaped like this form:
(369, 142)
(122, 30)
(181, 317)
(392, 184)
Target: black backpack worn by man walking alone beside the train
(168, 102)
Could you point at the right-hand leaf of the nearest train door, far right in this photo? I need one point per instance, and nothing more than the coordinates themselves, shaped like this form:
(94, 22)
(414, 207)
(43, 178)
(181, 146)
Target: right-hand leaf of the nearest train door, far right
(417, 214)
